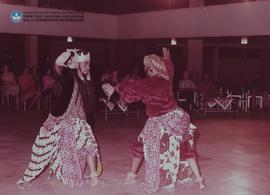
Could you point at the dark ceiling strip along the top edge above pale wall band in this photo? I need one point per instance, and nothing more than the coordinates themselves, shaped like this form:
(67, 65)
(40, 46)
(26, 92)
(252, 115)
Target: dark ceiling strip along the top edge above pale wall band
(119, 6)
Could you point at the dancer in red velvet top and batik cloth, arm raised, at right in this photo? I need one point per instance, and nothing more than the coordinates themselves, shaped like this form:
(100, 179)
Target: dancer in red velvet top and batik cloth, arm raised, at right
(167, 126)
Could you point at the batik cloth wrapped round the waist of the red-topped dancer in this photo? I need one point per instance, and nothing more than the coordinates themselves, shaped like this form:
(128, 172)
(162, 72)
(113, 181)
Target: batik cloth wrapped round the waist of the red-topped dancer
(163, 135)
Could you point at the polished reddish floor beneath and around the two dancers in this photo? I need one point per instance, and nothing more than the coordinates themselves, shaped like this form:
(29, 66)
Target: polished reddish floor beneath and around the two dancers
(234, 155)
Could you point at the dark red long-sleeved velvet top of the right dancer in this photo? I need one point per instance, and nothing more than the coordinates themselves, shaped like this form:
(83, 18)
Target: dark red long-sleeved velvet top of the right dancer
(155, 92)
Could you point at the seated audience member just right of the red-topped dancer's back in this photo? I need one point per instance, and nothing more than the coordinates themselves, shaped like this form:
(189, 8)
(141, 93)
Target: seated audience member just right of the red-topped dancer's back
(186, 89)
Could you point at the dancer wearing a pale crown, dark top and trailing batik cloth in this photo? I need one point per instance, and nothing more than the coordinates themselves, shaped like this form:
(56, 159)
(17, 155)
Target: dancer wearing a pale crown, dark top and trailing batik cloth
(65, 141)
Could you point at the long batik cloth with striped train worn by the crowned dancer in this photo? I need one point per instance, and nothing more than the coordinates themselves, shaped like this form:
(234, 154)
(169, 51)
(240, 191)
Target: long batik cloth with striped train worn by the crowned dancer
(63, 143)
